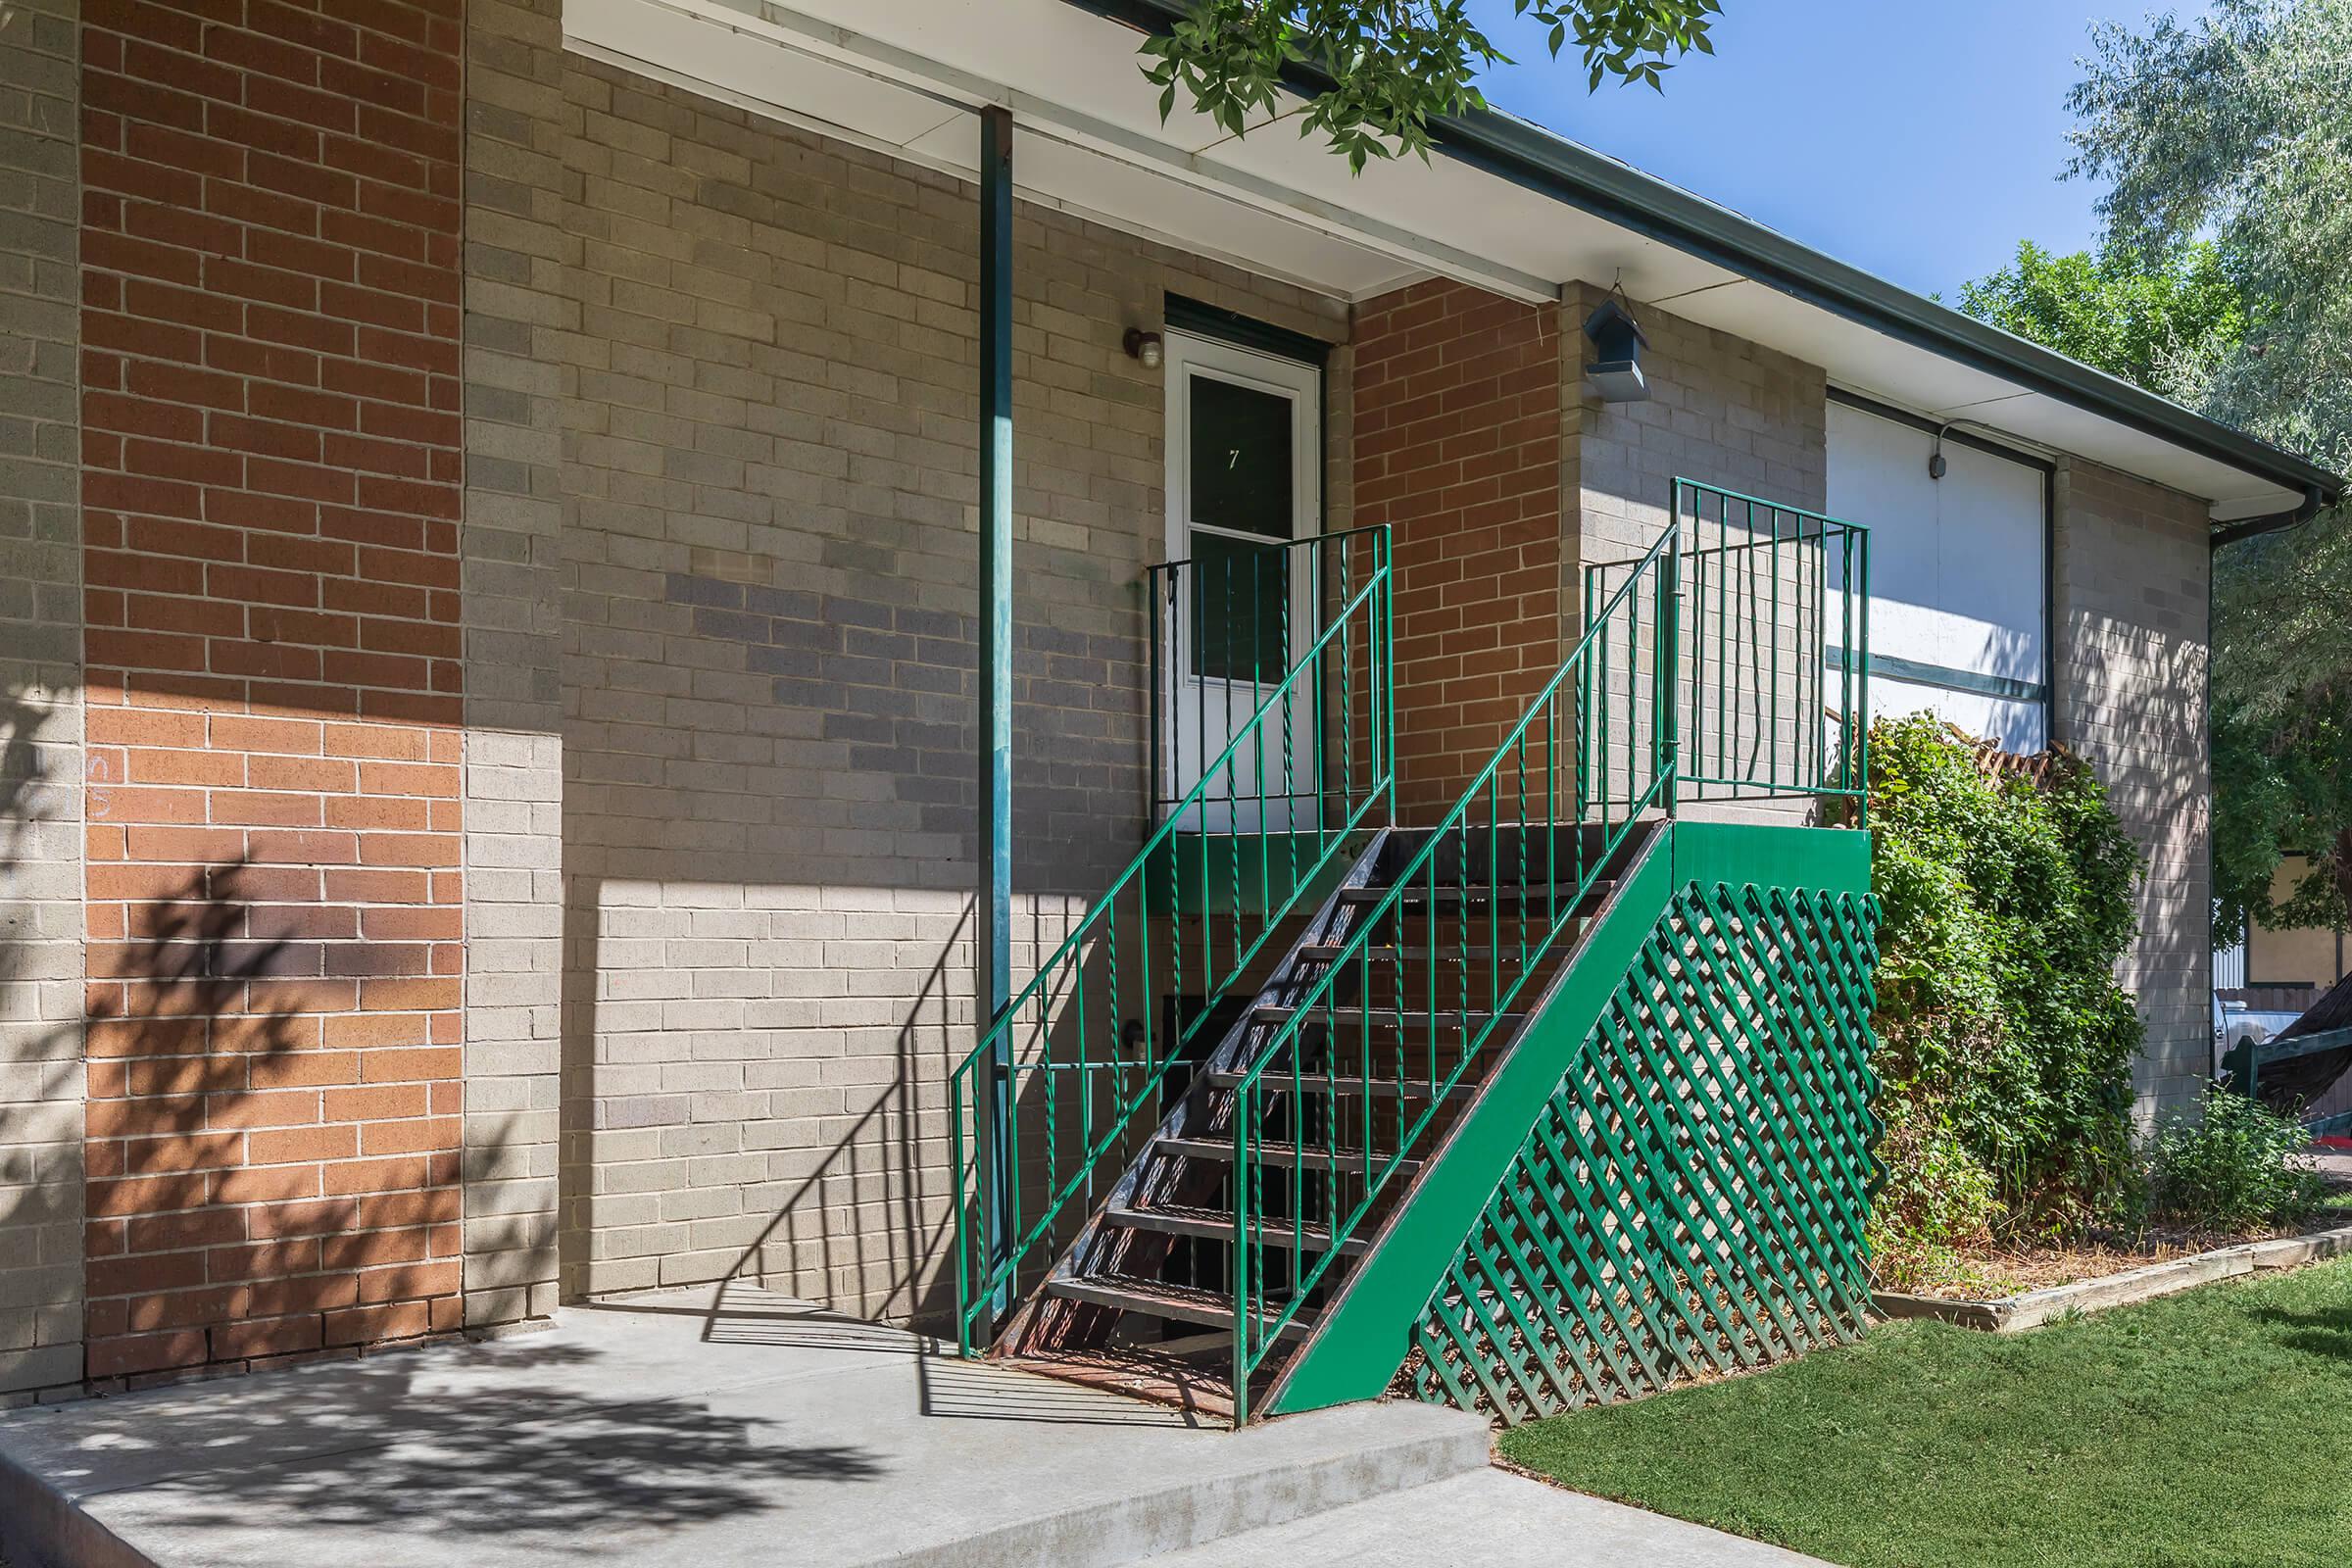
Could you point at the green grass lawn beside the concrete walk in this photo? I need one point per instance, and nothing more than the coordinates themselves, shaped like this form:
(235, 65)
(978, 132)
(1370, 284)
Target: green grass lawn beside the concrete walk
(2210, 1428)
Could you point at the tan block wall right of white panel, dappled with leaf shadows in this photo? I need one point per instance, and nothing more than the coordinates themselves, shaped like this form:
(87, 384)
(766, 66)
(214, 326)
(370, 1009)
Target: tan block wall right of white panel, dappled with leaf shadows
(2132, 591)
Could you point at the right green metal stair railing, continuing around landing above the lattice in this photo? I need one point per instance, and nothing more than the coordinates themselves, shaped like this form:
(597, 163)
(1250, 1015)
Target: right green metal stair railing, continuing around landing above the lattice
(1704, 671)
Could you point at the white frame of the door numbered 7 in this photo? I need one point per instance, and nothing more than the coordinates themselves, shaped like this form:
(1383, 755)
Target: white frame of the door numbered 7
(1208, 711)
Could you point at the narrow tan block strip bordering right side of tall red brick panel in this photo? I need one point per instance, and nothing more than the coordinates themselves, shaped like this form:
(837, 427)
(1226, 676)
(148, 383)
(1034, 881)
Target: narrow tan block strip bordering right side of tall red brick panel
(519, 311)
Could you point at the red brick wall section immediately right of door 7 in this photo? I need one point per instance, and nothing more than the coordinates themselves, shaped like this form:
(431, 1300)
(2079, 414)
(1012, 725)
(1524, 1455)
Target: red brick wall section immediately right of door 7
(1457, 448)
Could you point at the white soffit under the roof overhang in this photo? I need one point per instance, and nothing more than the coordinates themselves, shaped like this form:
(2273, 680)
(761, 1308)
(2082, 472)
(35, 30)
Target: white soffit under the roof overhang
(904, 76)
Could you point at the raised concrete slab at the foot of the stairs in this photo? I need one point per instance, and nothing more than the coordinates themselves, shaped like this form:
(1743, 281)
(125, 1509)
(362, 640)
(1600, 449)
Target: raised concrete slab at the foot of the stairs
(707, 1430)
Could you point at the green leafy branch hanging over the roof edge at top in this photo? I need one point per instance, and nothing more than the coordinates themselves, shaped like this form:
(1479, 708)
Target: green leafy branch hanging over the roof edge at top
(1396, 65)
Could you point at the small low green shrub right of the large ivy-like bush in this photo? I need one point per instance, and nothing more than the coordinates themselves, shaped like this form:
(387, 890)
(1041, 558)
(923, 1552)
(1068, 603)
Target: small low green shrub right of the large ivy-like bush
(2238, 1167)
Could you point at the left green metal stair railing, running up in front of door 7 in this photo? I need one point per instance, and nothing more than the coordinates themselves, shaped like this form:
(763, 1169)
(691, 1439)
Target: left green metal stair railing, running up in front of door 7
(1271, 692)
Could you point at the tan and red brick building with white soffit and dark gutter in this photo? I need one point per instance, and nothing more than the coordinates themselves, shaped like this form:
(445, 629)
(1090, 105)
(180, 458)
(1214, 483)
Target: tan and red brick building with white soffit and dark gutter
(490, 617)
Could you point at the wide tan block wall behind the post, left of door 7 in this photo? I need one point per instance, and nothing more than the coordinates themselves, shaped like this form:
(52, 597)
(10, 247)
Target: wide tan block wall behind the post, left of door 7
(768, 417)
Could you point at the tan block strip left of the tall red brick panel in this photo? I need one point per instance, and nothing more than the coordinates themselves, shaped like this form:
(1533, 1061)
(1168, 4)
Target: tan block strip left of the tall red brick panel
(41, 706)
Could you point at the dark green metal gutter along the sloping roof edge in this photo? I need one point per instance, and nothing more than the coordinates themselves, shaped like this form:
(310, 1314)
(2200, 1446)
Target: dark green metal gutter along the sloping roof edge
(1579, 177)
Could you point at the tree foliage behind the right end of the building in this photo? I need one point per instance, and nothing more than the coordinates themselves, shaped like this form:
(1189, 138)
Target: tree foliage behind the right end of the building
(2226, 283)
